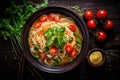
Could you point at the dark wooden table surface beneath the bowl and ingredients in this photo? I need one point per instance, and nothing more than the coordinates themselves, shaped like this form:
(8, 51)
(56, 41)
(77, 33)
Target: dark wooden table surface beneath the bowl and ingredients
(109, 71)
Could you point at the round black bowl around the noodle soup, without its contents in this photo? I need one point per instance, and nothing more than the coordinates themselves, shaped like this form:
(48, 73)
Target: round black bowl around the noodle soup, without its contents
(79, 22)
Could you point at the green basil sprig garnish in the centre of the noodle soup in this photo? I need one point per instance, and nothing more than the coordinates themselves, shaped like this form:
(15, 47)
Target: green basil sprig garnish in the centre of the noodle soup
(55, 36)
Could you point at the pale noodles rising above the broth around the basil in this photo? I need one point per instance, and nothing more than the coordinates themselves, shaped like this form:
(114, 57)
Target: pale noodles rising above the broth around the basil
(38, 39)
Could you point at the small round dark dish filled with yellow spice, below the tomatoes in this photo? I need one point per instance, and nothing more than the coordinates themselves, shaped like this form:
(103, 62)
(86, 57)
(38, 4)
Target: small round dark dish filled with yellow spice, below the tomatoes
(96, 57)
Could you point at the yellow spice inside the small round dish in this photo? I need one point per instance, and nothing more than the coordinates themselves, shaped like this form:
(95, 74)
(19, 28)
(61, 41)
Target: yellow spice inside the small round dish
(96, 57)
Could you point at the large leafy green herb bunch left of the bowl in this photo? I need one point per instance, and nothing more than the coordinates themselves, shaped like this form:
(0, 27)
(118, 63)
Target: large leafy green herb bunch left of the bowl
(13, 19)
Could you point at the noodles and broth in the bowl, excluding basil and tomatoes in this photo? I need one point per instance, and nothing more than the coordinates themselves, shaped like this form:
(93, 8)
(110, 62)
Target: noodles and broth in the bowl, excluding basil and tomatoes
(37, 37)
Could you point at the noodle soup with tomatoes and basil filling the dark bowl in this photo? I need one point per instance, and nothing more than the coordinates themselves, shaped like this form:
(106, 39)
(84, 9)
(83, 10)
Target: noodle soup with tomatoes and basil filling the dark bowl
(55, 39)
